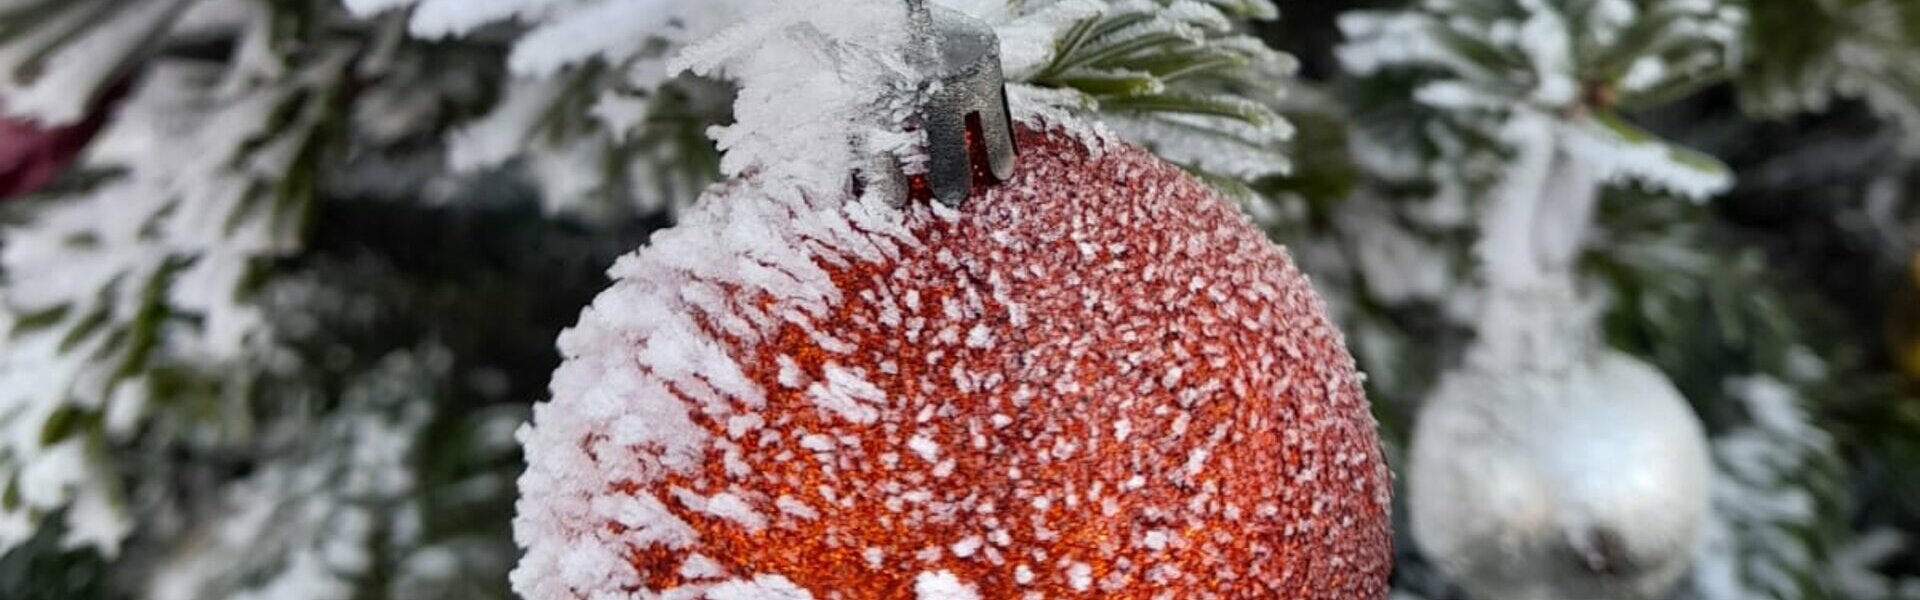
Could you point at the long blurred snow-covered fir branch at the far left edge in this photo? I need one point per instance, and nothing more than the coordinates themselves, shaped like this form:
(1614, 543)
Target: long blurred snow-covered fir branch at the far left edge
(141, 280)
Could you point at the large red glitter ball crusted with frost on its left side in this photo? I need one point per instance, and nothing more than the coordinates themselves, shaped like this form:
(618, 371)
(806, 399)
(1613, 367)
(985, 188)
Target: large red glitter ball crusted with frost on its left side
(1092, 382)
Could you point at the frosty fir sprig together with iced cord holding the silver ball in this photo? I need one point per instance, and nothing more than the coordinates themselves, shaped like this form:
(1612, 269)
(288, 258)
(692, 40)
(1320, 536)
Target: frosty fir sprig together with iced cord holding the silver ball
(1537, 86)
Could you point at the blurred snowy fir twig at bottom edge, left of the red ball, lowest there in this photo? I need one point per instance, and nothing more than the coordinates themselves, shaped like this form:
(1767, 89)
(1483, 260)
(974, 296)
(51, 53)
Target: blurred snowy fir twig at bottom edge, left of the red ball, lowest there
(316, 522)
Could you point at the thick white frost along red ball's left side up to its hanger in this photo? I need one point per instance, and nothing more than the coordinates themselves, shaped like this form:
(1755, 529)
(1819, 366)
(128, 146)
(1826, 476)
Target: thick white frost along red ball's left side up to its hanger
(756, 243)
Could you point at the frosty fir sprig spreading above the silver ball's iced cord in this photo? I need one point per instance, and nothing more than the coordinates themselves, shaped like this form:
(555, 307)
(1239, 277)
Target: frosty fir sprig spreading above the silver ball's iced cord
(1548, 76)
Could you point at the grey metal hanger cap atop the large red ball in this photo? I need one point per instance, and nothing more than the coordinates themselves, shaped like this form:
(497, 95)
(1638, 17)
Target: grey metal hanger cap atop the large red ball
(967, 103)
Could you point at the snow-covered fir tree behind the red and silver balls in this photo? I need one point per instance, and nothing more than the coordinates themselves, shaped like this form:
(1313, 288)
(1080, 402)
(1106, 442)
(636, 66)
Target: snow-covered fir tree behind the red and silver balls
(272, 336)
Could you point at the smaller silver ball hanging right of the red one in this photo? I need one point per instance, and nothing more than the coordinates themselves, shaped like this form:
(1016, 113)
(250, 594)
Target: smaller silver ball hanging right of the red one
(1564, 472)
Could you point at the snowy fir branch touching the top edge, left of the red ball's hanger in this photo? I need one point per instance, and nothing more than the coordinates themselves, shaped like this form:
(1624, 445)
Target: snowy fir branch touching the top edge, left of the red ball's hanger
(590, 114)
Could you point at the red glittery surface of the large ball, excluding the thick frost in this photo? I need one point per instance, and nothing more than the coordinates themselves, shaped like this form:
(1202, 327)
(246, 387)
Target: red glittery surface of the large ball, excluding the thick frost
(1132, 393)
